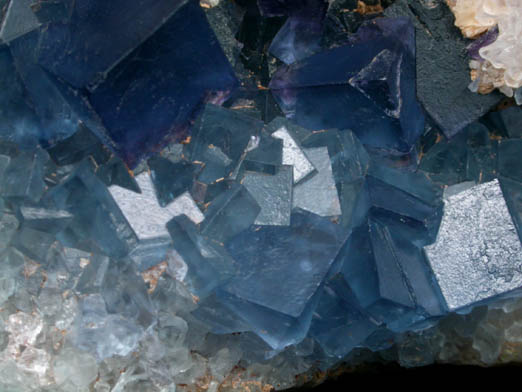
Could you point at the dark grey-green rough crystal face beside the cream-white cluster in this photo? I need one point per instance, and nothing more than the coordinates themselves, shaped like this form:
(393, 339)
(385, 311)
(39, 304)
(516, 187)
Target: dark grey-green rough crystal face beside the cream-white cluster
(442, 70)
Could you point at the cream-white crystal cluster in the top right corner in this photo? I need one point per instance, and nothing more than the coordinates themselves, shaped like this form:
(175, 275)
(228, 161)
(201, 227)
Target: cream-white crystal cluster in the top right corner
(497, 63)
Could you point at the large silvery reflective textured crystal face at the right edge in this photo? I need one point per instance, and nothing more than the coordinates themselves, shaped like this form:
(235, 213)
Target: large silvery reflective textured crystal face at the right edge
(477, 253)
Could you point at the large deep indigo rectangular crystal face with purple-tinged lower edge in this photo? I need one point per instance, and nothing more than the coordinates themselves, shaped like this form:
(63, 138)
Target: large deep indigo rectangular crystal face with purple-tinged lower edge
(156, 90)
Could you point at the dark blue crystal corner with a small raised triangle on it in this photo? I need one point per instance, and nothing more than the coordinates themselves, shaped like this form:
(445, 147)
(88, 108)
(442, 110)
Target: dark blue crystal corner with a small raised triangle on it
(367, 85)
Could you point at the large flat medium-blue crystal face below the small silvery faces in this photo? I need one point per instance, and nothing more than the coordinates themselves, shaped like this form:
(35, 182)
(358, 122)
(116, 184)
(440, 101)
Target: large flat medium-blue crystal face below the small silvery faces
(294, 261)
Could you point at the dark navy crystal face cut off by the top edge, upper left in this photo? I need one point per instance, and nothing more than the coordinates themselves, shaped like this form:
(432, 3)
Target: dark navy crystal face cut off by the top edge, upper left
(80, 51)
